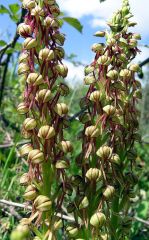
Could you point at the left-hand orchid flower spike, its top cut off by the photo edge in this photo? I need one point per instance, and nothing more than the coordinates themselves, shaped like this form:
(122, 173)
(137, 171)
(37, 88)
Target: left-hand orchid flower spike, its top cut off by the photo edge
(42, 71)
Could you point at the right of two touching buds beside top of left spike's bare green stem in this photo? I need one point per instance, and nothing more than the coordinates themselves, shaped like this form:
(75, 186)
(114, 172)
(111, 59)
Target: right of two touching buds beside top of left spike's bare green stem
(36, 156)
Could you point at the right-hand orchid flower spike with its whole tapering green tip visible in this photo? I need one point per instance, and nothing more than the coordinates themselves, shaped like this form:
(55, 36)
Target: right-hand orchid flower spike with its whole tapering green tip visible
(105, 187)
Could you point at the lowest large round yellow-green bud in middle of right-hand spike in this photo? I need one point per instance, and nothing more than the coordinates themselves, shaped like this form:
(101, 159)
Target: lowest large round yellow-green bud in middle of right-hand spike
(98, 219)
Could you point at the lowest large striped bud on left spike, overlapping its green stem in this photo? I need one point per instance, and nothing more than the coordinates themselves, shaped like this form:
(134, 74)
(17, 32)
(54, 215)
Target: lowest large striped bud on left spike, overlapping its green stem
(42, 203)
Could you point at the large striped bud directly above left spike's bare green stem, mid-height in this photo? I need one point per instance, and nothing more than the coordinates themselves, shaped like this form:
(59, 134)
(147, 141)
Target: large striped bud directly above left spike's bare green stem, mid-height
(46, 132)
